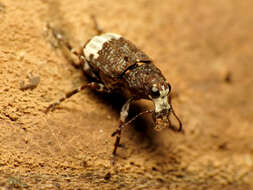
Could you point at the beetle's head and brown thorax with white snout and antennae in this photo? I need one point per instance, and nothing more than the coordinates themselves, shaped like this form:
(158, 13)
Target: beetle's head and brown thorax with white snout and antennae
(146, 81)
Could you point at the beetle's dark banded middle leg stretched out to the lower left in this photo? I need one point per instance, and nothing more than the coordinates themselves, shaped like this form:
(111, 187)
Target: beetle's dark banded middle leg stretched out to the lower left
(93, 85)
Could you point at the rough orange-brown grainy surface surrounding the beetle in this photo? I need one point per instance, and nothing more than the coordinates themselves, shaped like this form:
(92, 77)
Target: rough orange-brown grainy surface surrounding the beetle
(203, 48)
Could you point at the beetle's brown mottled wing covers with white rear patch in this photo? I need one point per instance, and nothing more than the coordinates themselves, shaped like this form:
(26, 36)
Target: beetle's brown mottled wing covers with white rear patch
(109, 57)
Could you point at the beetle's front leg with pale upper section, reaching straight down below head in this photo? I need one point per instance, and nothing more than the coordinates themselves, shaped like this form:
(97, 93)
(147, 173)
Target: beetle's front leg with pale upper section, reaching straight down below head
(123, 115)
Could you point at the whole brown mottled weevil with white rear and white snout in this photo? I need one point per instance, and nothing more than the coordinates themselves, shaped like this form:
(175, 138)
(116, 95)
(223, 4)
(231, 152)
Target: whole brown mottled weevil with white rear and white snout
(113, 64)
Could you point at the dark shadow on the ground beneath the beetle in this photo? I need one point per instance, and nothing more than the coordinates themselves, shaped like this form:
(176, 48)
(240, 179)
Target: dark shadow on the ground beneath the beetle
(140, 132)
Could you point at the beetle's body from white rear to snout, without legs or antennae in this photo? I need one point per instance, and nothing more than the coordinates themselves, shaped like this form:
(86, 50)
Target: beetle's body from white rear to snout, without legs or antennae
(119, 65)
